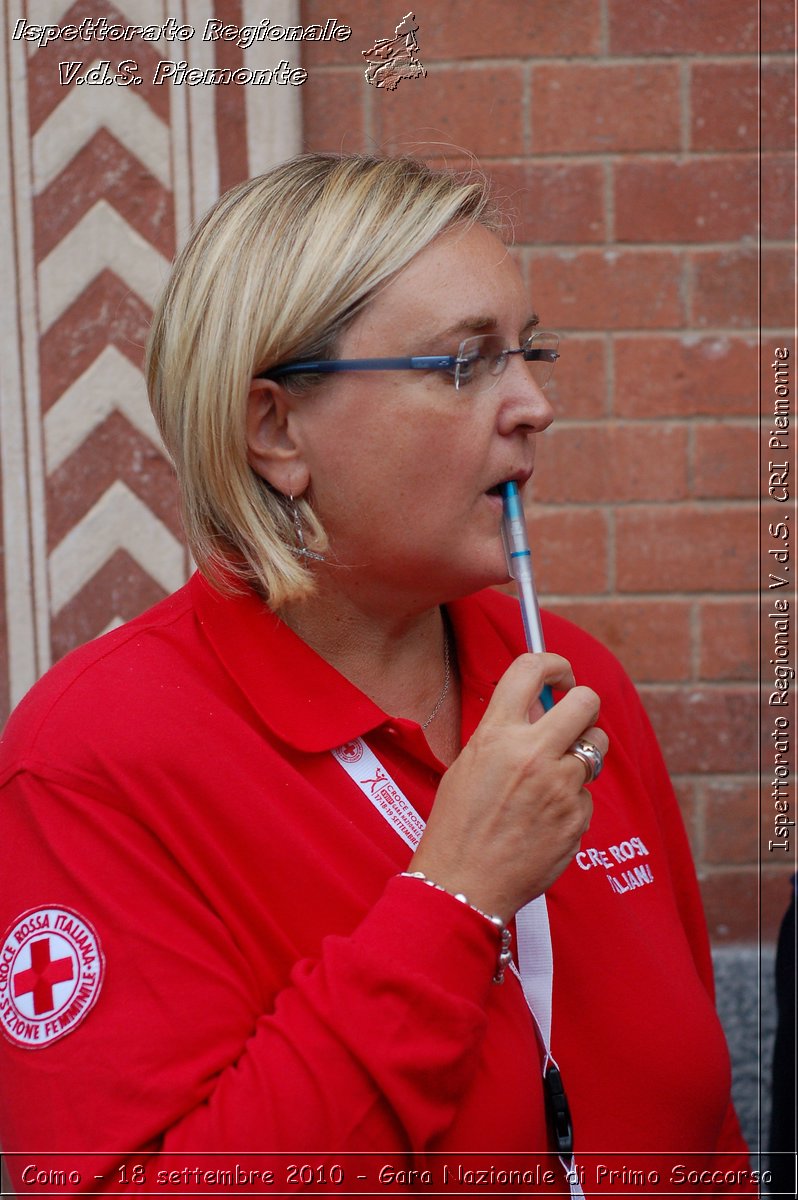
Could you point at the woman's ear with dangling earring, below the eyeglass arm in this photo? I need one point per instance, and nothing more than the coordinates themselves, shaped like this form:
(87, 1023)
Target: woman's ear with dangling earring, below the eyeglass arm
(273, 452)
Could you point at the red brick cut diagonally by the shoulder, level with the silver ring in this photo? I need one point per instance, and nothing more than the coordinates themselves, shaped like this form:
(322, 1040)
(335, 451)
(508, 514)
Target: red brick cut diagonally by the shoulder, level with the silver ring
(705, 731)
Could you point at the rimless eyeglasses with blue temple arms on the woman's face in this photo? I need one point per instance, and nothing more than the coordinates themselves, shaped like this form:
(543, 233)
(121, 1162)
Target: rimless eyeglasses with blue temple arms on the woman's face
(476, 368)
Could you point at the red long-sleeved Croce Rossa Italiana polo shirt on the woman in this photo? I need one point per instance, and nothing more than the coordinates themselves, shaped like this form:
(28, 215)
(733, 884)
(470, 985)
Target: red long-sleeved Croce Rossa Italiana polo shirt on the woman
(271, 986)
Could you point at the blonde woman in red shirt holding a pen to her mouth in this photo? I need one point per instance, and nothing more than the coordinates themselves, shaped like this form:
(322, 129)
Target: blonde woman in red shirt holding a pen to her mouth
(285, 949)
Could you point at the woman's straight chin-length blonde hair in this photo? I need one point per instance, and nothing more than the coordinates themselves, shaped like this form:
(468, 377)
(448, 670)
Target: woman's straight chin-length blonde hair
(277, 272)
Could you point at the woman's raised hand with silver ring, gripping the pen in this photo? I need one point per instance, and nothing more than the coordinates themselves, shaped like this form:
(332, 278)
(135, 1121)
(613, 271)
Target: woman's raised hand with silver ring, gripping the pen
(512, 809)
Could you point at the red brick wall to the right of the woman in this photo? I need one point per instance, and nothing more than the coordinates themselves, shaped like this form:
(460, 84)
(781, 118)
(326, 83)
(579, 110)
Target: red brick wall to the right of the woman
(626, 136)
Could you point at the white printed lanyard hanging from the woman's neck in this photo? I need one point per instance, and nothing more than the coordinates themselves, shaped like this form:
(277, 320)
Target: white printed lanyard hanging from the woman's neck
(533, 934)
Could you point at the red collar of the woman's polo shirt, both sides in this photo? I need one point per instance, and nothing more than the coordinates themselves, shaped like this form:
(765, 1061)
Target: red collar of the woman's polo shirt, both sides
(305, 701)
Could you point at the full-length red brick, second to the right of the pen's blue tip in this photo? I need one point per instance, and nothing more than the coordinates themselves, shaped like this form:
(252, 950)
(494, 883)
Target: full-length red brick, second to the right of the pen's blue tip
(686, 549)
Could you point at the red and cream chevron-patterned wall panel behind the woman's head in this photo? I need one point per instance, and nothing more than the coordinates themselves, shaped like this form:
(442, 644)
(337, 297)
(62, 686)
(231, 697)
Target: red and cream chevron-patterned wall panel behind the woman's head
(103, 185)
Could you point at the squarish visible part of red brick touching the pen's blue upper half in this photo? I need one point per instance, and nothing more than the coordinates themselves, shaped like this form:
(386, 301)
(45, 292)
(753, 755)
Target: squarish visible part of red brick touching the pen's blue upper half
(569, 550)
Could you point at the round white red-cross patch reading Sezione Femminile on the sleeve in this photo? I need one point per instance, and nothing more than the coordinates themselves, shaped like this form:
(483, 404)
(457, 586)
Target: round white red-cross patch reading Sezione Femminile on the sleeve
(51, 974)
